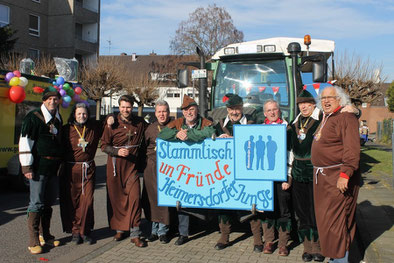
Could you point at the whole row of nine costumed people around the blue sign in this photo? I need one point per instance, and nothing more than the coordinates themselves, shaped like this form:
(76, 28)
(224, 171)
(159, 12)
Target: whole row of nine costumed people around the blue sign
(321, 187)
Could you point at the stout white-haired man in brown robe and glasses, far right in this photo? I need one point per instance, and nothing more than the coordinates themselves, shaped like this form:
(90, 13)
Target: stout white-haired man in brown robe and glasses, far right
(335, 157)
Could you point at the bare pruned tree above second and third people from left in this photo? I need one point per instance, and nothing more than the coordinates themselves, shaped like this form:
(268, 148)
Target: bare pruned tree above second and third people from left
(102, 79)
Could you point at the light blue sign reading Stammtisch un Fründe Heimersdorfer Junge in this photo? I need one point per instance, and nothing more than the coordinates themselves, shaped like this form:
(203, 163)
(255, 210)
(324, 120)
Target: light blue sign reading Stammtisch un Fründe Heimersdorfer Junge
(205, 174)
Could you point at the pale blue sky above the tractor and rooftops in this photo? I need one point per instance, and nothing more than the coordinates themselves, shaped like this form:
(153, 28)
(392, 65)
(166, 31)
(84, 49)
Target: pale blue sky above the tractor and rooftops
(362, 28)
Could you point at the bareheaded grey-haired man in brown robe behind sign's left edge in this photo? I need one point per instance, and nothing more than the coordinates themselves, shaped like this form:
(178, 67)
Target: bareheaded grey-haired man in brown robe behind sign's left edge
(159, 215)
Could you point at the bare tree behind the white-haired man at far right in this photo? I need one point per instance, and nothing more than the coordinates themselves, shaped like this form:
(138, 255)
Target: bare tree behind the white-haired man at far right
(360, 78)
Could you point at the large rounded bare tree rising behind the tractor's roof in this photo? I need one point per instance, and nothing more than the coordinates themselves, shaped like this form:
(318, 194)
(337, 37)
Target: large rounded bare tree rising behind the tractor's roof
(209, 28)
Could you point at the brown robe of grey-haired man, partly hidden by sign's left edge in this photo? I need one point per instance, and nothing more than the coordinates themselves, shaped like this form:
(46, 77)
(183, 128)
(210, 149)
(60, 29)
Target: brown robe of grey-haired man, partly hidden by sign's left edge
(158, 214)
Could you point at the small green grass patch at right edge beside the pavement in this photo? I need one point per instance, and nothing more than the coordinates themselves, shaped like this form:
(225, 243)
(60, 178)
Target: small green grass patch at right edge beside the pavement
(375, 159)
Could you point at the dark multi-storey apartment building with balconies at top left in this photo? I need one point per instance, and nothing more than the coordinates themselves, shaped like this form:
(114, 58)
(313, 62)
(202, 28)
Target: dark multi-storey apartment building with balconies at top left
(62, 28)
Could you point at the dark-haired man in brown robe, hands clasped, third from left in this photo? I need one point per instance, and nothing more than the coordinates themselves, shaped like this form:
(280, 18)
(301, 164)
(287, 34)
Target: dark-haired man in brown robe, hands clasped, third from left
(122, 143)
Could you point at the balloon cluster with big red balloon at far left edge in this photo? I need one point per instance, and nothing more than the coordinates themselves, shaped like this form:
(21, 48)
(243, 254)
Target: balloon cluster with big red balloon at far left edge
(16, 93)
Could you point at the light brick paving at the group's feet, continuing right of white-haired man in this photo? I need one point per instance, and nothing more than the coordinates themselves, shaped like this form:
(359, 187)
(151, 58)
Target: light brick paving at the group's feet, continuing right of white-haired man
(374, 244)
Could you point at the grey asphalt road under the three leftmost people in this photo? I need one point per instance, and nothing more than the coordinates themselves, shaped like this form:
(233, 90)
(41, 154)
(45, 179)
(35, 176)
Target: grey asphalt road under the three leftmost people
(13, 227)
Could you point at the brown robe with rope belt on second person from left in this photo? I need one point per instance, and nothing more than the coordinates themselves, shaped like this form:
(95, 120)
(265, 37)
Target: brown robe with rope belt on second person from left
(78, 180)
